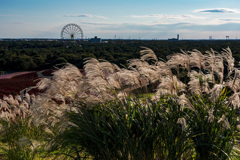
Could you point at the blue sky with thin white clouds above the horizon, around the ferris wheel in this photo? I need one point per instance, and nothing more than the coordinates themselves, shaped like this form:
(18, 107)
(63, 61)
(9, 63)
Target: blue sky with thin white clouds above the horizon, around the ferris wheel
(124, 19)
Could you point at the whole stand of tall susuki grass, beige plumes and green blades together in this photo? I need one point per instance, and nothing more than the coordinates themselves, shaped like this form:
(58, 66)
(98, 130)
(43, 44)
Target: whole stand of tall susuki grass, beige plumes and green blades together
(191, 111)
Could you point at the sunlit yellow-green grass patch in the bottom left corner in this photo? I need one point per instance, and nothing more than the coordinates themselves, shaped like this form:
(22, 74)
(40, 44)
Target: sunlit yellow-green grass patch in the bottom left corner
(21, 140)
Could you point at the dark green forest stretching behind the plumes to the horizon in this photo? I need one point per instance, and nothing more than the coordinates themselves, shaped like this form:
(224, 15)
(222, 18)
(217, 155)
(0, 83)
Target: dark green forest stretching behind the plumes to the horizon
(38, 55)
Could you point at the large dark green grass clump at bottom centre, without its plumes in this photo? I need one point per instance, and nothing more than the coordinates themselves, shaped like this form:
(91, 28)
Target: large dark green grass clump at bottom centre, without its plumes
(126, 130)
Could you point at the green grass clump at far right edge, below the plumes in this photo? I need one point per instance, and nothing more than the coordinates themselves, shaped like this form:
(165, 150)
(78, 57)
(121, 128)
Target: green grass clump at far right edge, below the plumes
(215, 125)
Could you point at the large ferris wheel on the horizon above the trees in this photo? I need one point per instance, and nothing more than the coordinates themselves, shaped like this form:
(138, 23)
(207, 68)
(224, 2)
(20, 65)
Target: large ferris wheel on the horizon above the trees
(72, 32)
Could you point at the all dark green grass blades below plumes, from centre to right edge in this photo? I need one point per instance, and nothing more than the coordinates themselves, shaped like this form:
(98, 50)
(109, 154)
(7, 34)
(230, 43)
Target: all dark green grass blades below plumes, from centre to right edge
(131, 129)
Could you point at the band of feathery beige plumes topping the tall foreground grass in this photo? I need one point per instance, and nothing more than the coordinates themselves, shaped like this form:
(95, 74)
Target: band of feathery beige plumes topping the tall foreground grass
(196, 73)
